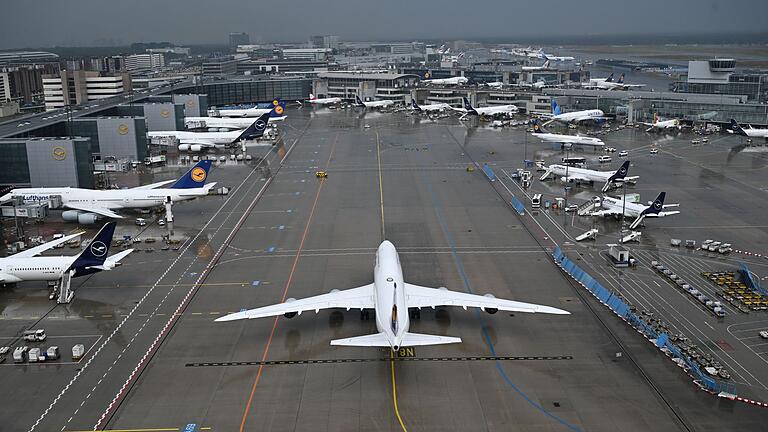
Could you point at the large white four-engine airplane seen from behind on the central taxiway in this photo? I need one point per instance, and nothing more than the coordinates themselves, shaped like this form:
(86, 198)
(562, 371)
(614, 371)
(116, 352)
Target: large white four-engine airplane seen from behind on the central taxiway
(391, 297)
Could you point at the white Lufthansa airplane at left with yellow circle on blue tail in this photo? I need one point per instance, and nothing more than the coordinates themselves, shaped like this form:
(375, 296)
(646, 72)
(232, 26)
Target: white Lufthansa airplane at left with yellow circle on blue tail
(88, 204)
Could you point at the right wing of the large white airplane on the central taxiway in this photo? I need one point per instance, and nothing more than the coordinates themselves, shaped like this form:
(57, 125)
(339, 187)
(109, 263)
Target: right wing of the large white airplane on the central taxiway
(419, 296)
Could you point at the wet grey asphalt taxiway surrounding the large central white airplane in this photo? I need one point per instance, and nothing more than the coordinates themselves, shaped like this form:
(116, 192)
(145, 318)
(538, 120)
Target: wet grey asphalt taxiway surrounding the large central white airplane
(159, 361)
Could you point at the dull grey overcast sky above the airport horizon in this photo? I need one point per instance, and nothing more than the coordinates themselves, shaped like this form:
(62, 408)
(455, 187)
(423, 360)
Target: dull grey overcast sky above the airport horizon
(87, 22)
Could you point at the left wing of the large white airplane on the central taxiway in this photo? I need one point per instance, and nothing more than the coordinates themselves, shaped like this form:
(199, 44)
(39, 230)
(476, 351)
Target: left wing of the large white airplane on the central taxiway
(355, 298)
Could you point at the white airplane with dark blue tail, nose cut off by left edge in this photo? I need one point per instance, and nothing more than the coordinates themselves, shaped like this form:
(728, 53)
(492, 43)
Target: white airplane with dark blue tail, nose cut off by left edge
(26, 266)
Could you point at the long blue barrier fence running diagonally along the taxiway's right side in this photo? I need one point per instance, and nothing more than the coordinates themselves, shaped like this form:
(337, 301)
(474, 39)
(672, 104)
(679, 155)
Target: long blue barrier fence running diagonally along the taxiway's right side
(624, 311)
